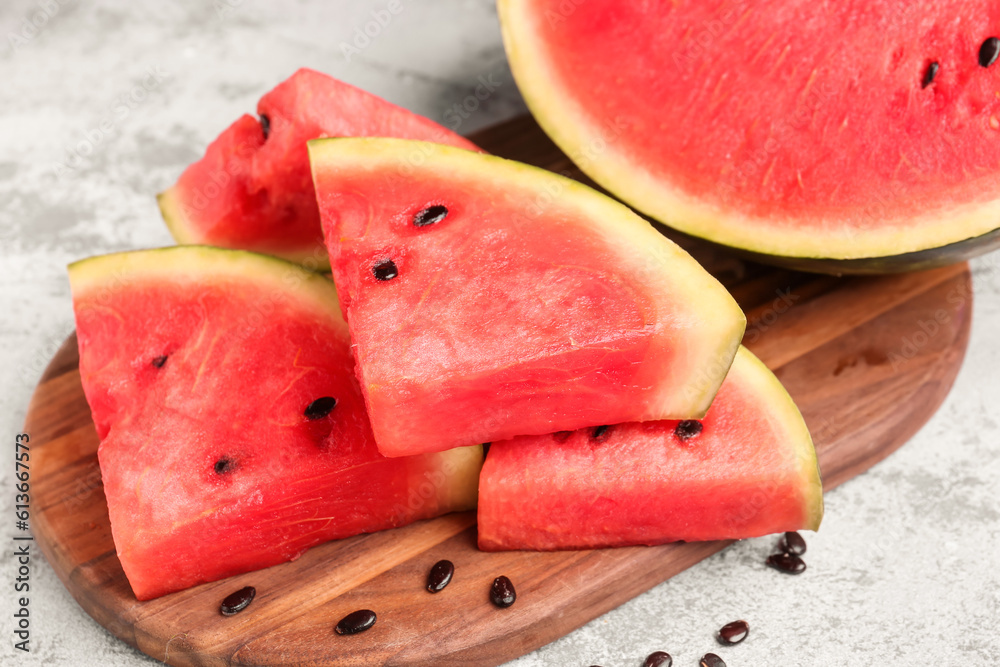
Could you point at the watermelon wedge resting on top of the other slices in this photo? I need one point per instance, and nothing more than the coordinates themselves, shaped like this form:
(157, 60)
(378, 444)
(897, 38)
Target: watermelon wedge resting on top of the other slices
(488, 299)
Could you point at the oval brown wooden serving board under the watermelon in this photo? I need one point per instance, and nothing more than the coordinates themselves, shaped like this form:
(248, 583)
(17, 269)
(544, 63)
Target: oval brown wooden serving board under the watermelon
(867, 360)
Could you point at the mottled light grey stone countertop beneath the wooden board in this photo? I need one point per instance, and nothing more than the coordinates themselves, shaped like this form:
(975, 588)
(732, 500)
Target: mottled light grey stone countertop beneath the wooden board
(102, 103)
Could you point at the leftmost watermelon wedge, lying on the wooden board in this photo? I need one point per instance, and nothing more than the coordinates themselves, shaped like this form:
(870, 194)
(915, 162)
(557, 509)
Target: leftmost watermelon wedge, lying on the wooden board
(233, 432)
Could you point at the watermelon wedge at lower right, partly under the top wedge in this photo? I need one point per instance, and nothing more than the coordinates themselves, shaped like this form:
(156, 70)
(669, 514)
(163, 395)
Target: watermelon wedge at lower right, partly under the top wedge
(747, 469)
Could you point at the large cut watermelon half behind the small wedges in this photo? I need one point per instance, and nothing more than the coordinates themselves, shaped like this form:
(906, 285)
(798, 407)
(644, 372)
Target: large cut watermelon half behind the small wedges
(812, 132)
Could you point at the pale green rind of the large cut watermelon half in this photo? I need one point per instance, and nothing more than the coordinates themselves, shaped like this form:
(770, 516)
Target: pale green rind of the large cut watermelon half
(569, 125)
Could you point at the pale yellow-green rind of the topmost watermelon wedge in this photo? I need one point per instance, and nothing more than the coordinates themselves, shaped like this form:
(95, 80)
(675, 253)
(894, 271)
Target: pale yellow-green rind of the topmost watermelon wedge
(662, 261)
